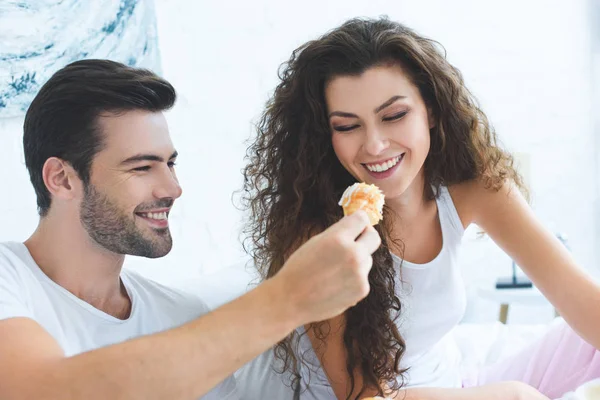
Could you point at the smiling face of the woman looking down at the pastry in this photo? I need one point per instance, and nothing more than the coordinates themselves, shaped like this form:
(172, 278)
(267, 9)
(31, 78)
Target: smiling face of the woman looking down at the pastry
(380, 127)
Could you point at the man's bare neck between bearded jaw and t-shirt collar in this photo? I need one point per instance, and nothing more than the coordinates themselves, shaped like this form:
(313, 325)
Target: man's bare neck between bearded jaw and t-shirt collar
(67, 255)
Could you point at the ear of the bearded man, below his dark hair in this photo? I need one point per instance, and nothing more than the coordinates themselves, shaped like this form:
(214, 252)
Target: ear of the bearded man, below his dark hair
(61, 180)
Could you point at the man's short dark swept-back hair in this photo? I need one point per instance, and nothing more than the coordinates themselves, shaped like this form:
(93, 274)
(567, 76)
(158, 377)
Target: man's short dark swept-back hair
(62, 120)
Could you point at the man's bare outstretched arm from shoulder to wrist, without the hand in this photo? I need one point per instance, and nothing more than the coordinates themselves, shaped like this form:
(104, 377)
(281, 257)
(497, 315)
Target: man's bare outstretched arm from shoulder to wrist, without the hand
(181, 363)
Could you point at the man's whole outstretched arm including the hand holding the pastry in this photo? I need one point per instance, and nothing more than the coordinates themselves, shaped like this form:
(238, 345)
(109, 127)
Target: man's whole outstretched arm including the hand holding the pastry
(323, 278)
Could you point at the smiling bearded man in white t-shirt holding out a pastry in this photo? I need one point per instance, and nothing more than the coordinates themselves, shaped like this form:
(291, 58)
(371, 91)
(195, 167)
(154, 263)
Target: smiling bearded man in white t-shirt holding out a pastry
(73, 324)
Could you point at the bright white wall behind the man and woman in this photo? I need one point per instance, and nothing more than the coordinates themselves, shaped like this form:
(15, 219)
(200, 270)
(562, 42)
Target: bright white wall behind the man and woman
(527, 61)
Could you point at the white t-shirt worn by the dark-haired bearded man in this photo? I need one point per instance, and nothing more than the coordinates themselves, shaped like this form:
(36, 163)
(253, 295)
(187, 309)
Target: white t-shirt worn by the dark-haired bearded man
(25, 291)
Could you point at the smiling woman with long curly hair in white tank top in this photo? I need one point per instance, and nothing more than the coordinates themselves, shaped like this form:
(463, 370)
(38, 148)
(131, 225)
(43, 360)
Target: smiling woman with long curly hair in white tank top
(373, 101)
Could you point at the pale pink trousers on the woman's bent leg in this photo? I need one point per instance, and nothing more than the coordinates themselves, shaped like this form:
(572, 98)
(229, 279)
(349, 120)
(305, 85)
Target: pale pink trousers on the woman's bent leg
(556, 364)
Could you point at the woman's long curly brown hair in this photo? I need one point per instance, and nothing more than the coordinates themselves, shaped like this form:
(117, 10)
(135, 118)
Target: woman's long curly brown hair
(294, 180)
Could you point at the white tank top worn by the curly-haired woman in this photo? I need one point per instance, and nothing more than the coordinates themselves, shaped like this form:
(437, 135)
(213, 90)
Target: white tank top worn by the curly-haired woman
(433, 298)
